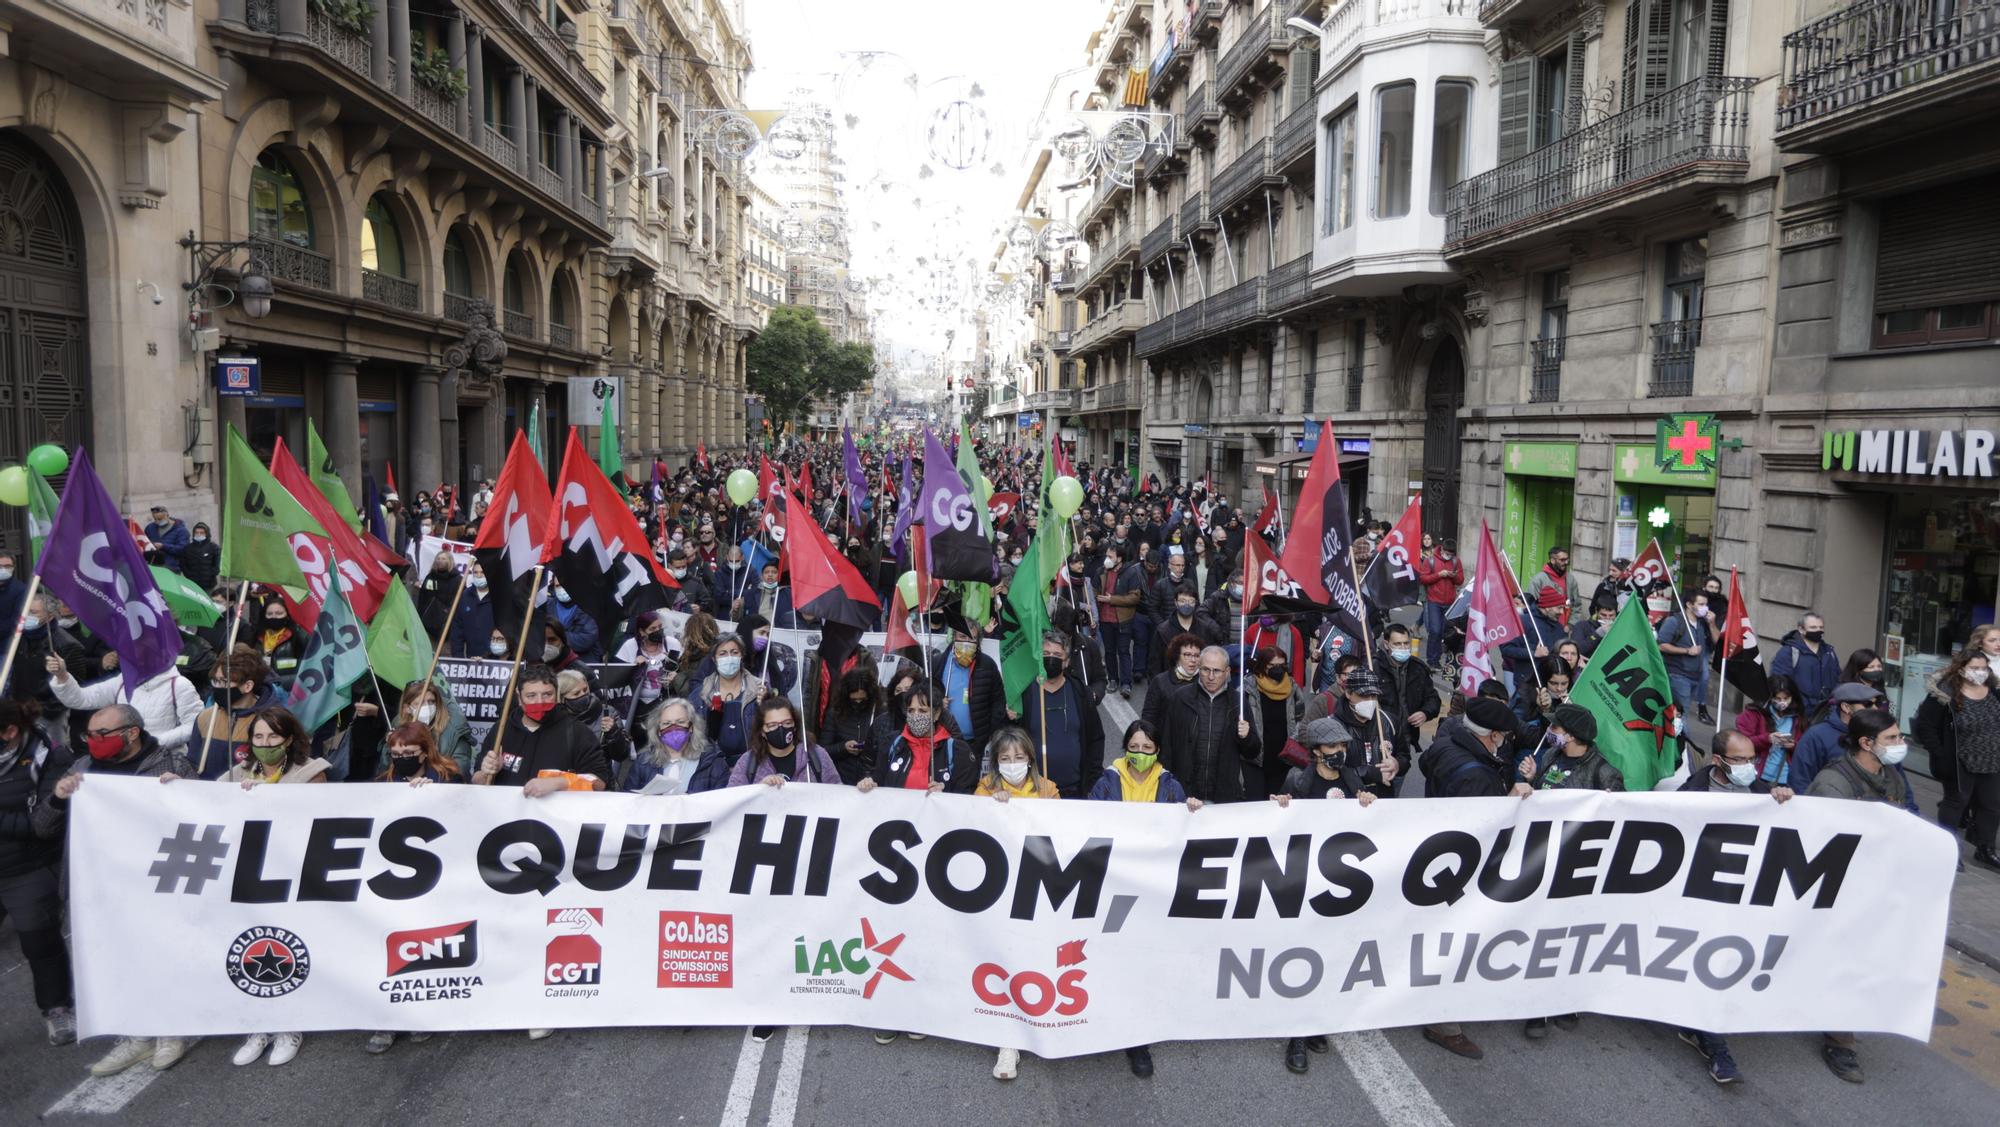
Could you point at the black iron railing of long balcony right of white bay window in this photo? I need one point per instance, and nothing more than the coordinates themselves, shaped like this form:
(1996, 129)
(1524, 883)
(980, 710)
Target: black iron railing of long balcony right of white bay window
(1699, 123)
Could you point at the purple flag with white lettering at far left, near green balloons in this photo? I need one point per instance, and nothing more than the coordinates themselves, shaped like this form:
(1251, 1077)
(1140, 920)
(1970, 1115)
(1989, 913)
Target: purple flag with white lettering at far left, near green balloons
(95, 566)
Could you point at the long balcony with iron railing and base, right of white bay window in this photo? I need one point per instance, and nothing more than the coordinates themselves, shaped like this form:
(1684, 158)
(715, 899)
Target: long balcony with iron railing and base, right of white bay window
(1649, 157)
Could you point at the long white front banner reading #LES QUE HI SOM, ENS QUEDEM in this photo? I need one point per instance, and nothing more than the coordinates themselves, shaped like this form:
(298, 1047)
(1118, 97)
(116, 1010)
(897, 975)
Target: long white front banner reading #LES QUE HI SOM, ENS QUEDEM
(1025, 924)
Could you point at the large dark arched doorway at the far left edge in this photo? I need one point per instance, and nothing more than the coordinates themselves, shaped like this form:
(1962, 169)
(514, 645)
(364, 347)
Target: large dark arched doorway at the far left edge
(45, 367)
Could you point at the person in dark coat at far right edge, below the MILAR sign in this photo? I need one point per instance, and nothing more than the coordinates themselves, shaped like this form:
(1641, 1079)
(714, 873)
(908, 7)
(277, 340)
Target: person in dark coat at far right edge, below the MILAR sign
(1959, 724)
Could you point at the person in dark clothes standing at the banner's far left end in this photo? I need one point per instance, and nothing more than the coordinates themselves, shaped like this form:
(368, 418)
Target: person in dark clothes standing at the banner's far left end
(31, 862)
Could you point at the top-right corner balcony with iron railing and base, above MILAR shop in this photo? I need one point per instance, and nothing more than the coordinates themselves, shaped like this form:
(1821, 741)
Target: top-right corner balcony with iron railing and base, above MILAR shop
(1885, 69)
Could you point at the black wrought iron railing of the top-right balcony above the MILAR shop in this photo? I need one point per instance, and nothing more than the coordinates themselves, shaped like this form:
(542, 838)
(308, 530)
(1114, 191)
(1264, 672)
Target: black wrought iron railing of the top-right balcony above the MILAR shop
(1875, 49)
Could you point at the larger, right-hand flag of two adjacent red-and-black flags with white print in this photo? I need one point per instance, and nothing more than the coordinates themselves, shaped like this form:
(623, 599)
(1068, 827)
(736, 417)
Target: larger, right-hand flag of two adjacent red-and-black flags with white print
(597, 547)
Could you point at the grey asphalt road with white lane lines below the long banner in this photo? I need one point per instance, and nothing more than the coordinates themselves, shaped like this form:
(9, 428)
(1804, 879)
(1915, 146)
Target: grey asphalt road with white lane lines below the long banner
(1605, 1072)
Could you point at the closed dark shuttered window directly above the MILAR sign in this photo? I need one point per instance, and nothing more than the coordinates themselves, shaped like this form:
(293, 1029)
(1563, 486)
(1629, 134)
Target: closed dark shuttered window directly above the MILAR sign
(1937, 247)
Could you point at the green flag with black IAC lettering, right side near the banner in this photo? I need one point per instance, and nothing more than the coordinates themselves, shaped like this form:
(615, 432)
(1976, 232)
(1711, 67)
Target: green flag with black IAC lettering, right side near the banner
(1629, 696)
